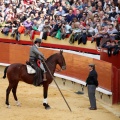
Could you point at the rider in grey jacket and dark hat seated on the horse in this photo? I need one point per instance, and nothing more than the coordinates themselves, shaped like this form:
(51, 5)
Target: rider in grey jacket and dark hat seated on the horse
(35, 55)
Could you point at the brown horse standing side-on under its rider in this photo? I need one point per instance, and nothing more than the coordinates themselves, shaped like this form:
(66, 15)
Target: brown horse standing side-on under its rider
(17, 72)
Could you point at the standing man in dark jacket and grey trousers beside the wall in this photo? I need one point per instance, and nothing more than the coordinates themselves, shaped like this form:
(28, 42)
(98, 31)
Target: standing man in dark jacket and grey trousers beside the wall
(91, 84)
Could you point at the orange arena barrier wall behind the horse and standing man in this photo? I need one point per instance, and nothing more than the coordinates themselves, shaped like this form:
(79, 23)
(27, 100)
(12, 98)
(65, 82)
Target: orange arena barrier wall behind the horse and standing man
(77, 67)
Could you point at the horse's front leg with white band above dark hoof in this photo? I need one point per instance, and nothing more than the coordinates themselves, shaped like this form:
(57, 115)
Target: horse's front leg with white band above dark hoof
(45, 93)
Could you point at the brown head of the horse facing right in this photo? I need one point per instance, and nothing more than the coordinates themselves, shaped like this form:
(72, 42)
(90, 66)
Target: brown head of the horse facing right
(61, 60)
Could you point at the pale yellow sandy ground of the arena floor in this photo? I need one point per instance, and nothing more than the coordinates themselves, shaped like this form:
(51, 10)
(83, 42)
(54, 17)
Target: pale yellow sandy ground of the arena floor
(31, 108)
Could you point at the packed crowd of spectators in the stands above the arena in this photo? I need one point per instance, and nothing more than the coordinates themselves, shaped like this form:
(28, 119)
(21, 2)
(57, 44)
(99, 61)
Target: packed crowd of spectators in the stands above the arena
(76, 19)
